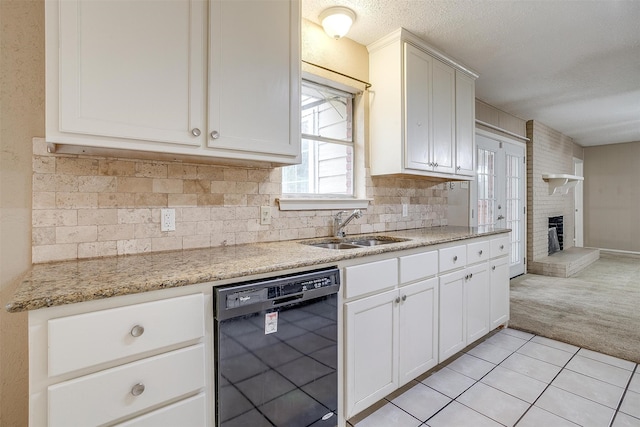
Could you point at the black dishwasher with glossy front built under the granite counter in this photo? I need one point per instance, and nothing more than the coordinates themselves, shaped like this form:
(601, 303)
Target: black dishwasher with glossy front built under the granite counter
(276, 351)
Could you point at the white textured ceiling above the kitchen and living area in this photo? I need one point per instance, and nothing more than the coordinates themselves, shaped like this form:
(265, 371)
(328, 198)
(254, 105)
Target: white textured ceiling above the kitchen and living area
(573, 65)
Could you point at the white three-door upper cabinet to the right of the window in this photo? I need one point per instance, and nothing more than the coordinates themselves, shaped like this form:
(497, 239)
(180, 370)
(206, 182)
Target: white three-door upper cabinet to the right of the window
(421, 113)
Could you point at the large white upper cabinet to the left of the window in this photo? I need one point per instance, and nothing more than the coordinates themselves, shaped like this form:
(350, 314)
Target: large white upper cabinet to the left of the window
(215, 78)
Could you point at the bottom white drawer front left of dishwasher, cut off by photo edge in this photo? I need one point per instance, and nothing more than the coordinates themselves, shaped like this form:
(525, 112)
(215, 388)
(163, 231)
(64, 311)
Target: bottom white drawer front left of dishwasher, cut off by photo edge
(190, 412)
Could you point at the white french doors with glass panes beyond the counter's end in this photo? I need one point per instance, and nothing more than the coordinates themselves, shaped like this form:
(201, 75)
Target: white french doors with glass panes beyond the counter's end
(500, 192)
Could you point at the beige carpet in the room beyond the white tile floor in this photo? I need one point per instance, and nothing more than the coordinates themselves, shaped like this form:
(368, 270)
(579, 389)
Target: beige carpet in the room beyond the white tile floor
(598, 308)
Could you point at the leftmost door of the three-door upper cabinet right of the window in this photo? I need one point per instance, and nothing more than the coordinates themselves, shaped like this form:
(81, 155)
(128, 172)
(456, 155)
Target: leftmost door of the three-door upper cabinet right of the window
(417, 81)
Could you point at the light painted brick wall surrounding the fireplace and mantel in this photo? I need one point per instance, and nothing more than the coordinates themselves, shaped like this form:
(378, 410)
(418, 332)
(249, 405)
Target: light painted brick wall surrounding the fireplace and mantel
(548, 152)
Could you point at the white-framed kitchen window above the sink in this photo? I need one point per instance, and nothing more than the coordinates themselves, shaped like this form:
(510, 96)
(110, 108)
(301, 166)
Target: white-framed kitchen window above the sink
(327, 165)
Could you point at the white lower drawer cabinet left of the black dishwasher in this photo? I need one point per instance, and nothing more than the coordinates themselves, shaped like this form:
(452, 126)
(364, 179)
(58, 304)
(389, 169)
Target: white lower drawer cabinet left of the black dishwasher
(128, 360)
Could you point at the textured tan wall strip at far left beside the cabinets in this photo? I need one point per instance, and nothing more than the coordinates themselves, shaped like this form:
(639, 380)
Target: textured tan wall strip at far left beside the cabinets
(22, 118)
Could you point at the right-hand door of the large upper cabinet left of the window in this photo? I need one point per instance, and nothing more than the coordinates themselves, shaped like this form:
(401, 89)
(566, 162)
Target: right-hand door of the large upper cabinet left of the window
(254, 79)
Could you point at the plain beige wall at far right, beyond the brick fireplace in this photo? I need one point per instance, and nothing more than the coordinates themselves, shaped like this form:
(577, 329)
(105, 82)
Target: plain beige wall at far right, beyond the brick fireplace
(612, 197)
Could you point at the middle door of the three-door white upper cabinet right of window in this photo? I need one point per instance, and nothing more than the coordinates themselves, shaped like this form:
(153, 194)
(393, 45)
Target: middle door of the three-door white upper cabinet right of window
(443, 117)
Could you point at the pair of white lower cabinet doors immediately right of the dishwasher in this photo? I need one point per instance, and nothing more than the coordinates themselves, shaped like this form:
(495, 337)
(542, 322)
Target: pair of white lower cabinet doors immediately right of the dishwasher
(391, 339)
